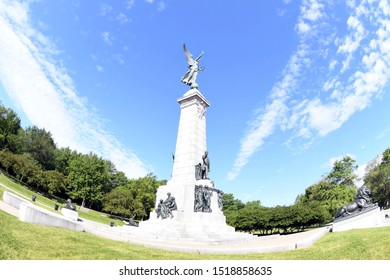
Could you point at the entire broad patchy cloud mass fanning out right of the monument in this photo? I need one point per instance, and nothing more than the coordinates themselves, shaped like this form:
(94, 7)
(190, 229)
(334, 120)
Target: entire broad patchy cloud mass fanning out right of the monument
(308, 106)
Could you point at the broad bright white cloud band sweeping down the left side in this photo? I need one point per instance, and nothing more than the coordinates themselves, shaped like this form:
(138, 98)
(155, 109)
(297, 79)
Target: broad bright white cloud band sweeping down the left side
(41, 87)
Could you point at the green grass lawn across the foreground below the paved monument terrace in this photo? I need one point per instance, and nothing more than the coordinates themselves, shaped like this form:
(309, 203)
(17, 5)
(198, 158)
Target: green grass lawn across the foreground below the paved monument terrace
(23, 241)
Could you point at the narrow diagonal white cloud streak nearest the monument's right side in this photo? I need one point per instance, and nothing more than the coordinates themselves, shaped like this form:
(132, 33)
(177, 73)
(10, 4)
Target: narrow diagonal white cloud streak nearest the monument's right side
(274, 114)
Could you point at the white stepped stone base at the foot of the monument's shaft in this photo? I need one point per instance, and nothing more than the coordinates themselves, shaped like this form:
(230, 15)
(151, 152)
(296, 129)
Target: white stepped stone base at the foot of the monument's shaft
(186, 223)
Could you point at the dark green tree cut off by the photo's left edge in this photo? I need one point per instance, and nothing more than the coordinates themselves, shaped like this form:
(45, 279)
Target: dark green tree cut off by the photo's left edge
(9, 126)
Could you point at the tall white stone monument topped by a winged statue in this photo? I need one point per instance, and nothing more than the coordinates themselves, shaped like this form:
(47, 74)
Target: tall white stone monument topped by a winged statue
(197, 209)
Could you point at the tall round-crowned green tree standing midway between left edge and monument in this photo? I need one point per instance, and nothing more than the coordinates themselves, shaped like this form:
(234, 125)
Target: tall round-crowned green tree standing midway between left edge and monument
(88, 176)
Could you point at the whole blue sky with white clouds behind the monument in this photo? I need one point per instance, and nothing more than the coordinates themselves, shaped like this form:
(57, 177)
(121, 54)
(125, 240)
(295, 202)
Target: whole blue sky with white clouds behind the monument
(293, 85)
